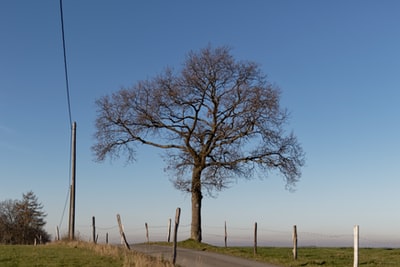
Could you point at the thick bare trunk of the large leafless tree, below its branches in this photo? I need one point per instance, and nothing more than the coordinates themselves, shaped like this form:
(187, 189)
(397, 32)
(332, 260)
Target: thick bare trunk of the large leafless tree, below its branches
(195, 232)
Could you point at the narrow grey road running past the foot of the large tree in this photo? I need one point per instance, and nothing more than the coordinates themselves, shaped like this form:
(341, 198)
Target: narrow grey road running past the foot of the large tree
(195, 258)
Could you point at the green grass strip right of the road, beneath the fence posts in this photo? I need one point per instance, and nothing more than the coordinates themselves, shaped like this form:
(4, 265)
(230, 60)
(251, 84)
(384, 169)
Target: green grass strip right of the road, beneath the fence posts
(307, 256)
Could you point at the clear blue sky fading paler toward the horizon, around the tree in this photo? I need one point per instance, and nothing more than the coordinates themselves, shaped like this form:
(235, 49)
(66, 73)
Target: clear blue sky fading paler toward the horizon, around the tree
(337, 63)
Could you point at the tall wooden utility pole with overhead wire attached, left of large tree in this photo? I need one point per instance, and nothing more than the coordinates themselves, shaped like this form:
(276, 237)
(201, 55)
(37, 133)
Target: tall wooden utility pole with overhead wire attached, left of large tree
(72, 195)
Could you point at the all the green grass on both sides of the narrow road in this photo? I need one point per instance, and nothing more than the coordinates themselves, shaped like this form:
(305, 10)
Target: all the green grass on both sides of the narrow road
(86, 254)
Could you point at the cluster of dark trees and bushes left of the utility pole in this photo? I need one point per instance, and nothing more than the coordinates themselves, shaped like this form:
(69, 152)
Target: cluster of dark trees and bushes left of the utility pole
(23, 221)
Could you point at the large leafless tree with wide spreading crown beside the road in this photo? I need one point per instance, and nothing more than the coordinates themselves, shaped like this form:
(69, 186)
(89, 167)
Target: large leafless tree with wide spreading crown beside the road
(218, 119)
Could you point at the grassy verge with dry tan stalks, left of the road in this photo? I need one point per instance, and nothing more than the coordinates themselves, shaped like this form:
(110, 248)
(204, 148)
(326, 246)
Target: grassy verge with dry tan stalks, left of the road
(73, 254)
